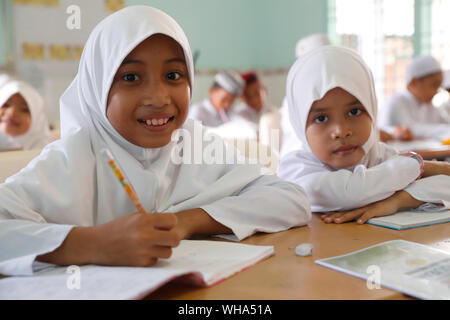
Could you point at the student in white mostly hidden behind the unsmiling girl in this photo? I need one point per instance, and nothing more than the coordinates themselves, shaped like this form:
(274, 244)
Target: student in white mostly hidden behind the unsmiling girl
(289, 141)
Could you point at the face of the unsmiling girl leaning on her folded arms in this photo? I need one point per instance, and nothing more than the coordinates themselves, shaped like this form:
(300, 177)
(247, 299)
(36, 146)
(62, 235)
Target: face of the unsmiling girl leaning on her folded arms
(337, 127)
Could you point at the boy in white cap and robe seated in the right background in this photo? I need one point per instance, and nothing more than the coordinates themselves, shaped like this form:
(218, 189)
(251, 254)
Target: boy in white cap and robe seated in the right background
(413, 106)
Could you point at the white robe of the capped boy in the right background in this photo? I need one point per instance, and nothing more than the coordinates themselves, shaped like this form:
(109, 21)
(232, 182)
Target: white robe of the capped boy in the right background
(424, 120)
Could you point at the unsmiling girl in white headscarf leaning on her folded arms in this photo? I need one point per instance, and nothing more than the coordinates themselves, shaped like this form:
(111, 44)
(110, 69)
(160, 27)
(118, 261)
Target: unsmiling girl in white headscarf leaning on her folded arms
(343, 166)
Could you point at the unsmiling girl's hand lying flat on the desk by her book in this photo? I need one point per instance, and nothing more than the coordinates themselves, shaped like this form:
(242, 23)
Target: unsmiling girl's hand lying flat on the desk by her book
(386, 207)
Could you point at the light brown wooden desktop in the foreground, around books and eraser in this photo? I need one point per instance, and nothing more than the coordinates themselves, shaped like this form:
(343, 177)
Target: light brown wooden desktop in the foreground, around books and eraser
(287, 276)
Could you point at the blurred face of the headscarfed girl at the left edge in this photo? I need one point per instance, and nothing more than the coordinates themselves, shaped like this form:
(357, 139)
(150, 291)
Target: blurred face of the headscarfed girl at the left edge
(15, 117)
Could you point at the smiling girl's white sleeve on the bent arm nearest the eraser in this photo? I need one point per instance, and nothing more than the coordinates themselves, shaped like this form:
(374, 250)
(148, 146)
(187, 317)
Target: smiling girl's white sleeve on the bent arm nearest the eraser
(268, 204)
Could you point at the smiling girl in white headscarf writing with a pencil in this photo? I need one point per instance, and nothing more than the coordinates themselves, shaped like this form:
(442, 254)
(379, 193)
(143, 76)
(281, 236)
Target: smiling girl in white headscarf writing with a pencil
(131, 93)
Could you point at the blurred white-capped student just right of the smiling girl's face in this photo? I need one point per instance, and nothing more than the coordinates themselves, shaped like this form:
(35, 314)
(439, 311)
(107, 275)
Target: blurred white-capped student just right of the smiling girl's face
(214, 111)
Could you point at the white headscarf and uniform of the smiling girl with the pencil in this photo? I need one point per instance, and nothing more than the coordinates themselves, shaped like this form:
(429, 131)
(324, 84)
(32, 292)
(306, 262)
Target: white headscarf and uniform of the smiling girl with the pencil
(70, 183)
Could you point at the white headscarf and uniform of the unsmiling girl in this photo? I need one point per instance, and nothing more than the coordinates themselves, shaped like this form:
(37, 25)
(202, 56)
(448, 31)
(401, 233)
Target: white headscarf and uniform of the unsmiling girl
(380, 173)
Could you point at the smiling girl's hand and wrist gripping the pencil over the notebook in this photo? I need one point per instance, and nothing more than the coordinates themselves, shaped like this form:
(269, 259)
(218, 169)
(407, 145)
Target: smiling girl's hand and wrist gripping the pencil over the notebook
(135, 239)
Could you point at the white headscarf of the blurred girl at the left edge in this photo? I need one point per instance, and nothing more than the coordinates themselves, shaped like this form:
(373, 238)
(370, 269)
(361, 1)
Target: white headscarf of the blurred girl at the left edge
(38, 134)
